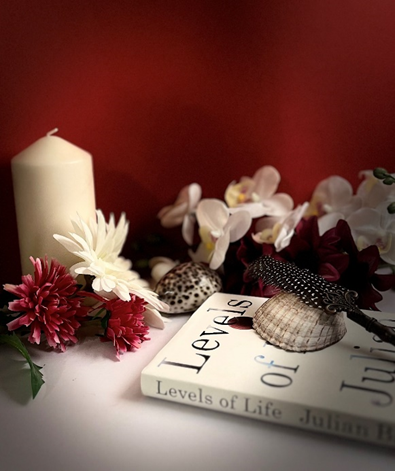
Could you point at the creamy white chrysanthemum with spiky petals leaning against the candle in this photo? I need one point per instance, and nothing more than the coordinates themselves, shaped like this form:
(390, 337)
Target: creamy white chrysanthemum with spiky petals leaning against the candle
(99, 244)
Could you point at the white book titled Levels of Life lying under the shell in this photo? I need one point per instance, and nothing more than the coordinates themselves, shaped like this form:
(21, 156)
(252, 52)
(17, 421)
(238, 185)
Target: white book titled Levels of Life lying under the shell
(217, 361)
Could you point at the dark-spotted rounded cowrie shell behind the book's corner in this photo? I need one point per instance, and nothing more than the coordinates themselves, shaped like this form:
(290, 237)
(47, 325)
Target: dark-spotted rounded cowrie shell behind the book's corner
(185, 287)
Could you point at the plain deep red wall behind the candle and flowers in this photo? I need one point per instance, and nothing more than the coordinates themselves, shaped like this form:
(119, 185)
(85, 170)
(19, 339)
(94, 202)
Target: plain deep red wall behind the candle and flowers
(166, 93)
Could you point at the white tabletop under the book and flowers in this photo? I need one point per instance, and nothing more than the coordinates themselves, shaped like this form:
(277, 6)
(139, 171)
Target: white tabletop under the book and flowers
(91, 415)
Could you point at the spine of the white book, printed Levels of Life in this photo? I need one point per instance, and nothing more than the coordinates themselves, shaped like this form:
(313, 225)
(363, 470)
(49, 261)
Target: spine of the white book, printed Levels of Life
(270, 410)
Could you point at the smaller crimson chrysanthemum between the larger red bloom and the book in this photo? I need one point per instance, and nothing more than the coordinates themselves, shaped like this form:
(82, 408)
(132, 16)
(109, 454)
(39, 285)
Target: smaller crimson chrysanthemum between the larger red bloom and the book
(126, 327)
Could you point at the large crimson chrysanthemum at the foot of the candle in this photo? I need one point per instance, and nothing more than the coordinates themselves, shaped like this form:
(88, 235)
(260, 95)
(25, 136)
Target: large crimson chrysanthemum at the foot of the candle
(48, 303)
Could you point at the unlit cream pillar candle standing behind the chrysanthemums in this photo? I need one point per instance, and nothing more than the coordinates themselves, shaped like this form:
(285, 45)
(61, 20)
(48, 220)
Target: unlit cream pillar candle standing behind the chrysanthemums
(53, 182)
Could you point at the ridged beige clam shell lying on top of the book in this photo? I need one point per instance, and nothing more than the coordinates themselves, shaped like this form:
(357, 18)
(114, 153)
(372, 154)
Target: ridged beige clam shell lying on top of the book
(285, 321)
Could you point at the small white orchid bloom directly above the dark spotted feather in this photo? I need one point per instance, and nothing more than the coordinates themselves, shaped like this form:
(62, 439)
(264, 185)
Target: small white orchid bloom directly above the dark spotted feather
(279, 230)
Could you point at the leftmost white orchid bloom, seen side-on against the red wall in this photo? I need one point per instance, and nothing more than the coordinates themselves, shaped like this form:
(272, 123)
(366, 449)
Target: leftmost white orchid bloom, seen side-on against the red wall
(182, 211)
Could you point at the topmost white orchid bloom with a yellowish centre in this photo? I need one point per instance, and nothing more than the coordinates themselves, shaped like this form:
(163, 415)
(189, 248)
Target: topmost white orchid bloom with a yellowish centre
(258, 196)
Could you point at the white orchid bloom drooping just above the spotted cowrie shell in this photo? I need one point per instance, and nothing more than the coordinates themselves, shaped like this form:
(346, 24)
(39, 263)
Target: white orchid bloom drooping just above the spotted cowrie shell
(217, 229)
